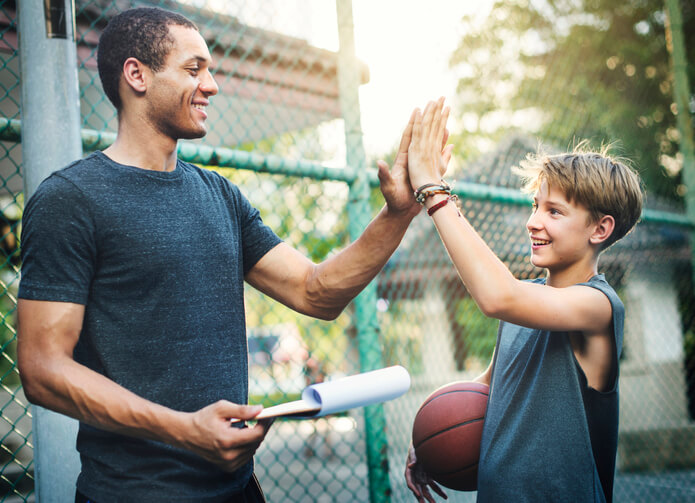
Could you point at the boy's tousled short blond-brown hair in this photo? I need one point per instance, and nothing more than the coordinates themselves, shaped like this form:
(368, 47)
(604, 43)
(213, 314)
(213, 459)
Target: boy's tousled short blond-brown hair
(603, 184)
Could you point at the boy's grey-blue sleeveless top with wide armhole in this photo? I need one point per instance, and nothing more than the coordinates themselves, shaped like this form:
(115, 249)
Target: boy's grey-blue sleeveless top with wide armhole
(548, 436)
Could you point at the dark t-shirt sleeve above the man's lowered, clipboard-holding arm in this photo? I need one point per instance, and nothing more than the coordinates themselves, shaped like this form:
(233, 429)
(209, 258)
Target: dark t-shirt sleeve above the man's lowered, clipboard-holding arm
(58, 245)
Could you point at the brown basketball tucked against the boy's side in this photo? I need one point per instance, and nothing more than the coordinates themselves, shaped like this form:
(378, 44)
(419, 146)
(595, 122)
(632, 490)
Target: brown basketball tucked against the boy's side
(447, 431)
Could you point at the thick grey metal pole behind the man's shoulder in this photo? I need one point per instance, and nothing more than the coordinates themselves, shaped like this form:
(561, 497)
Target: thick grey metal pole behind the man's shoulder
(50, 140)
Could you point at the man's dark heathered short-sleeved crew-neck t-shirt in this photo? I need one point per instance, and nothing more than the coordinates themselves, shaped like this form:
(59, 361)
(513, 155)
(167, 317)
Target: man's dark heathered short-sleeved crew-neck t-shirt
(158, 259)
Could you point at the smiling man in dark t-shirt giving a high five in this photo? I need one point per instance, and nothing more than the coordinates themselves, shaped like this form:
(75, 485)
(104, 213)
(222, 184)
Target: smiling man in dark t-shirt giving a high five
(131, 315)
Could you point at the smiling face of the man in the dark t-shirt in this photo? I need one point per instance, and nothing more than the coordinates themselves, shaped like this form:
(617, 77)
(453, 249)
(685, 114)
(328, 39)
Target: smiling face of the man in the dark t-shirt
(180, 91)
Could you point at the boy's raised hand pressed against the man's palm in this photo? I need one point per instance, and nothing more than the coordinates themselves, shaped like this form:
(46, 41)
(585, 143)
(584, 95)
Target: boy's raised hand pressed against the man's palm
(428, 158)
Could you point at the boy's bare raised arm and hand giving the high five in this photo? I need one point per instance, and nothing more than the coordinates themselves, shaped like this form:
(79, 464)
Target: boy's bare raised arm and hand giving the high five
(495, 290)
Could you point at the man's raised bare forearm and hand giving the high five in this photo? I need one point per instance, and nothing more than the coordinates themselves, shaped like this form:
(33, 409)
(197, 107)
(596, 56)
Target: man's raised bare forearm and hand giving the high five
(323, 290)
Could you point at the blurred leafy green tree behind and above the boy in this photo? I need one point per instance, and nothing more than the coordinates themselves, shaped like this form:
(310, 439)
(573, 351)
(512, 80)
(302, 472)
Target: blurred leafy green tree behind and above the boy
(565, 70)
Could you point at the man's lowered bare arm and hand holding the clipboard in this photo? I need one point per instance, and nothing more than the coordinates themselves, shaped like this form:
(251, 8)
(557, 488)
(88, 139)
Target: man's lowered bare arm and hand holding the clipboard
(48, 333)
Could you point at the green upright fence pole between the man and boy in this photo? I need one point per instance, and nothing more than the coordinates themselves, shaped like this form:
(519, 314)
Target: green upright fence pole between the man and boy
(359, 215)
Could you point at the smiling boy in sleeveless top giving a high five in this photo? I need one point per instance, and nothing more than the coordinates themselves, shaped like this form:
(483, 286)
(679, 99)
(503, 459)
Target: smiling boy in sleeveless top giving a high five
(551, 427)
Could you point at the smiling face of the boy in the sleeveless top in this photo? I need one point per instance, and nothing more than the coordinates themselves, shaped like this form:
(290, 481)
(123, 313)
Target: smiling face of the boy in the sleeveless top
(559, 231)
